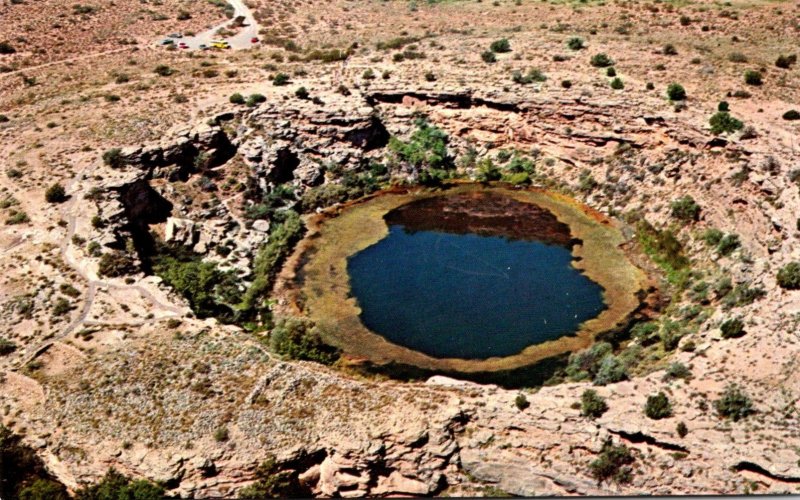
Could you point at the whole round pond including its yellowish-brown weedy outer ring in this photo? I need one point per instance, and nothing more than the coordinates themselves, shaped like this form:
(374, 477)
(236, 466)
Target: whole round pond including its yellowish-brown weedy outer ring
(468, 279)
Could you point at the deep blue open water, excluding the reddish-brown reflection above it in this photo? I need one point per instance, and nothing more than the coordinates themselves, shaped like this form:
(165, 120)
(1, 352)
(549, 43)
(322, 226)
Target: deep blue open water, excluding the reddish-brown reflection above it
(468, 296)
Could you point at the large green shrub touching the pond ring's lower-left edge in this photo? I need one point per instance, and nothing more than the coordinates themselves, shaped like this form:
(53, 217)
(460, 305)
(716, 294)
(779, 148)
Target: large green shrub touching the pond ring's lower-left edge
(297, 338)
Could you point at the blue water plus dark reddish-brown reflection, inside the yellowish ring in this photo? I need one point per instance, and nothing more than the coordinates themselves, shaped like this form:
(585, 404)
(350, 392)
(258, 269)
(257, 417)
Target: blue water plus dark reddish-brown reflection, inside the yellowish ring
(472, 278)
